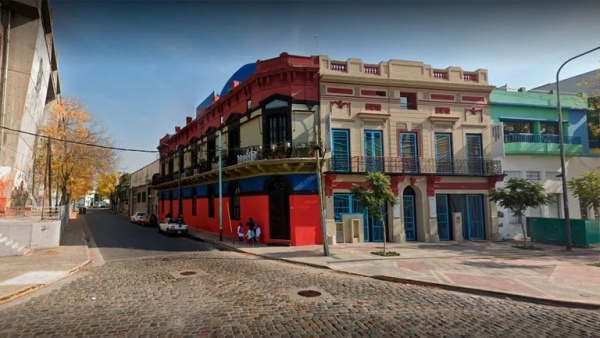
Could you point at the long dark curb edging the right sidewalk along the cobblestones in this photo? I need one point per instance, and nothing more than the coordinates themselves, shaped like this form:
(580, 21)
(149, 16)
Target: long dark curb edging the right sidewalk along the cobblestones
(446, 287)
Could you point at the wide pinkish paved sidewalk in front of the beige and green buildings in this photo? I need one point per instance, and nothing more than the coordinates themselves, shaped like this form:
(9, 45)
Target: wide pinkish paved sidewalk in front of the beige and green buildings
(549, 276)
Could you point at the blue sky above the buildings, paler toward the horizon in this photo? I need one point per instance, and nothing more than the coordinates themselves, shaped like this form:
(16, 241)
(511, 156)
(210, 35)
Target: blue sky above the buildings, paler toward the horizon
(142, 67)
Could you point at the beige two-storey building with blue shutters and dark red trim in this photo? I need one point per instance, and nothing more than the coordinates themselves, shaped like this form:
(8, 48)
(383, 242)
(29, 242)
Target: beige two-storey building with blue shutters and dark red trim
(426, 128)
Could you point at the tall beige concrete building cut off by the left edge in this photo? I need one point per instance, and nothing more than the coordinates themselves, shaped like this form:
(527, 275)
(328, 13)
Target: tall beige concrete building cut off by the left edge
(29, 88)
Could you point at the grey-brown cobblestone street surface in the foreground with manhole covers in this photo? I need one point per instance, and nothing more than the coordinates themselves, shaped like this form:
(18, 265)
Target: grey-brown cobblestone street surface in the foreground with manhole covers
(227, 294)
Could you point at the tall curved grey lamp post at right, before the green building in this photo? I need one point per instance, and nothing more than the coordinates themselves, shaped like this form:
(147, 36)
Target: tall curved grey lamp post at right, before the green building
(561, 144)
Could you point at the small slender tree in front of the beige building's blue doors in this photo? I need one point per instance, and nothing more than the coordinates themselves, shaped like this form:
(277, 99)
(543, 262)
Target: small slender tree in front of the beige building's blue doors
(379, 194)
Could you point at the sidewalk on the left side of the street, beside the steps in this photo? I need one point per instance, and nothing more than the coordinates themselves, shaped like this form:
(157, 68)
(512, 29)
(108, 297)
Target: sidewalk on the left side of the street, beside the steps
(22, 274)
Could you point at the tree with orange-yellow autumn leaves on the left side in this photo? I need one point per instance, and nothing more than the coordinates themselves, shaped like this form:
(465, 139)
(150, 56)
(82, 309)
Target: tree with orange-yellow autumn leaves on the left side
(79, 150)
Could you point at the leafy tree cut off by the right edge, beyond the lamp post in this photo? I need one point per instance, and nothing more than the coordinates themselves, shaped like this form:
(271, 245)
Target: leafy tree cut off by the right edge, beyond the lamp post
(586, 189)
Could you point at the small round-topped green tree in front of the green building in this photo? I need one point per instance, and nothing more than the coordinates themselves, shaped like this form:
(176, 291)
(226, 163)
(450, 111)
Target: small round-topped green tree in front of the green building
(519, 194)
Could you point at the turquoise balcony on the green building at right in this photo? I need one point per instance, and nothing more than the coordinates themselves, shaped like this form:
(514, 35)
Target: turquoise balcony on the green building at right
(533, 144)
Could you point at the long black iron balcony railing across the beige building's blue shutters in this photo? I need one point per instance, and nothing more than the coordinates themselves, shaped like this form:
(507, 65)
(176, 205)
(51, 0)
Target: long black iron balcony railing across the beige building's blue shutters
(415, 166)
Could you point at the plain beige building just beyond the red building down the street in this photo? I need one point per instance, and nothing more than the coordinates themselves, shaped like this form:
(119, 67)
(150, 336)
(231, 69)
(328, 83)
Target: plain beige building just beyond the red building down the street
(143, 197)
